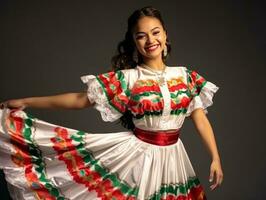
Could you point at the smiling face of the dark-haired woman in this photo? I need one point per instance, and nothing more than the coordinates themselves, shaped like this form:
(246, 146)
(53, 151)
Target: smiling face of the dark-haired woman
(149, 37)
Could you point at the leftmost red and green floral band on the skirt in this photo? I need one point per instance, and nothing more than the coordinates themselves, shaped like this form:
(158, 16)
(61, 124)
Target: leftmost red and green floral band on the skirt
(29, 156)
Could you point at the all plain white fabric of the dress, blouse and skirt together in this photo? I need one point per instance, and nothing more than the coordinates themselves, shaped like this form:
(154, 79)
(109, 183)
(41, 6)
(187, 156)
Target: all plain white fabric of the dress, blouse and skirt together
(137, 163)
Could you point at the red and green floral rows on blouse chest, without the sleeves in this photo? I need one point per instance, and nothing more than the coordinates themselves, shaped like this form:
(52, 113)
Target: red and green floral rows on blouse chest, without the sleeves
(146, 97)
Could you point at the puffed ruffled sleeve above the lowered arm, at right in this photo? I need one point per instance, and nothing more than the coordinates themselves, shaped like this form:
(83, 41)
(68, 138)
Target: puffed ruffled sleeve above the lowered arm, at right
(201, 92)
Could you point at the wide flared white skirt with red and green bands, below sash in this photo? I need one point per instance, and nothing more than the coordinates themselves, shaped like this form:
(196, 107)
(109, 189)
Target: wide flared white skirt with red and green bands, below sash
(45, 161)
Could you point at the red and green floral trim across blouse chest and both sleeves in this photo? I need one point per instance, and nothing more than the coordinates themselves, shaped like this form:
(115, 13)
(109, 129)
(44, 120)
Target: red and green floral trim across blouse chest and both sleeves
(145, 98)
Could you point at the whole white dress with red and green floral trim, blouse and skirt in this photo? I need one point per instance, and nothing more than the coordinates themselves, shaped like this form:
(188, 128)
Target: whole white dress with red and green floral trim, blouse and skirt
(46, 161)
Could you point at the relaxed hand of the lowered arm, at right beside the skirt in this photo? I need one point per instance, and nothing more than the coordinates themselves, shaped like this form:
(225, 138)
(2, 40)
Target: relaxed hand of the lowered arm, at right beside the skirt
(216, 170)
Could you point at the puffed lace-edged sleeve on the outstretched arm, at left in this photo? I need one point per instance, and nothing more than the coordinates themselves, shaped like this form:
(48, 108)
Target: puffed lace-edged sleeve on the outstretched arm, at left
(109, 93)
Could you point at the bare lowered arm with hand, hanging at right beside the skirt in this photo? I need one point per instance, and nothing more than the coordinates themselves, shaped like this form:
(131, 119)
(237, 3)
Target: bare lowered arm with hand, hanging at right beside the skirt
(204, 128)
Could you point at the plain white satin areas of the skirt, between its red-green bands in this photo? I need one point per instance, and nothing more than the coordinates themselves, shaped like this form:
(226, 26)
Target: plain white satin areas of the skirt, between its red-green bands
(136, 162)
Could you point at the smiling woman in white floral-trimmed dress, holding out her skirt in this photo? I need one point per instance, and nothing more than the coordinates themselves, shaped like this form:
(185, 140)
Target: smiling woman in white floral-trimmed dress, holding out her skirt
(149, 161)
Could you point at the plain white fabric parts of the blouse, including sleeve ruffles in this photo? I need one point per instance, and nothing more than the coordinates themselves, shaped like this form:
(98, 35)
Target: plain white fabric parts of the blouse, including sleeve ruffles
(151, 122)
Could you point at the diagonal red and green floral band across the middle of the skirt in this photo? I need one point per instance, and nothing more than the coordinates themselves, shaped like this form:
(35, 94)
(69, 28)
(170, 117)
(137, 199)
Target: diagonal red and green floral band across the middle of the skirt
(86, 170)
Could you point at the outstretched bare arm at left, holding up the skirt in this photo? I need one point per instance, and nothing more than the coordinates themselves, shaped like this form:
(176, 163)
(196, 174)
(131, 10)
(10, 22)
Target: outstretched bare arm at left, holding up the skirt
(61, 101)
